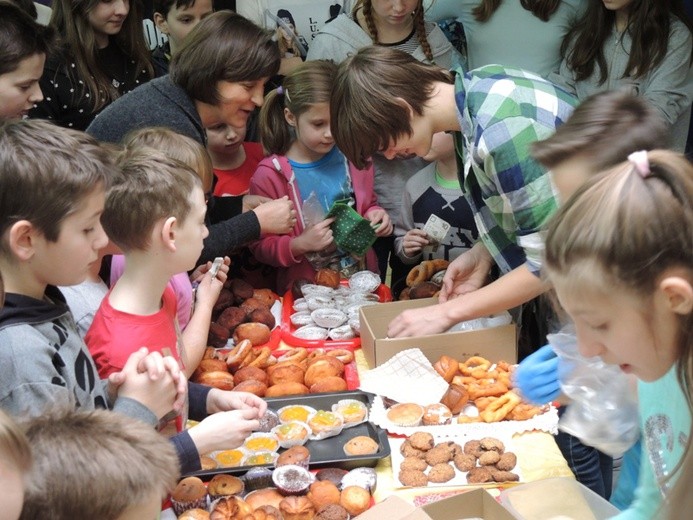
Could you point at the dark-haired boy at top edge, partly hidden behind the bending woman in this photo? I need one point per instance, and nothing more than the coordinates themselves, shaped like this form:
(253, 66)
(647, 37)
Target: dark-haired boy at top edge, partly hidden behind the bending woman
(175, 18)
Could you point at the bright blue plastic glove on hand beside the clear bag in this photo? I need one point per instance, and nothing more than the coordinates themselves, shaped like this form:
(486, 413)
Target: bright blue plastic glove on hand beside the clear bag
(537, 376)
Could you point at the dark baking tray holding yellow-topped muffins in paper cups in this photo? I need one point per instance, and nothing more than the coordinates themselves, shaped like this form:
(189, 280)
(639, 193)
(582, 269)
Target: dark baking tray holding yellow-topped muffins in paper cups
(327, 452)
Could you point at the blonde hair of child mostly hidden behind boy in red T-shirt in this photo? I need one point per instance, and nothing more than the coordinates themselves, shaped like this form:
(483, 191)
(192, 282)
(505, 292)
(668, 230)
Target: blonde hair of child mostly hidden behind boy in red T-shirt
(176, 146)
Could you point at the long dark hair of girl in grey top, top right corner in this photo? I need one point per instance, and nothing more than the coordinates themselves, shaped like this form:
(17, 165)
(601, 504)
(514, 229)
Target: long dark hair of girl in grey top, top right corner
(649, 25)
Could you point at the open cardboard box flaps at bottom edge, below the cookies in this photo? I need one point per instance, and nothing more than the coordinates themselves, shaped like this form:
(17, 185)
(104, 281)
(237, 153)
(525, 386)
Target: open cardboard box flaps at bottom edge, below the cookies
(477, 503)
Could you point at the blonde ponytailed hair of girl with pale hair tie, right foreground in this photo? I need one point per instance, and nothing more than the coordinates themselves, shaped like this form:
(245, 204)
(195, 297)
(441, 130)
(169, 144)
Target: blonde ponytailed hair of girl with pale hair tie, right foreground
(632, 228)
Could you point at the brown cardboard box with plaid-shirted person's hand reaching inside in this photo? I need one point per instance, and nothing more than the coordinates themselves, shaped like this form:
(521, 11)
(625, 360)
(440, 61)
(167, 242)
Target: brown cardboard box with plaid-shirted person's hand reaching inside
(495, 344)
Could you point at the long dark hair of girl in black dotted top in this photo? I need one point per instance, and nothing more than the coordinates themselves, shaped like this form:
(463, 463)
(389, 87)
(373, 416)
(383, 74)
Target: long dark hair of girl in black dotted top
(71, 19)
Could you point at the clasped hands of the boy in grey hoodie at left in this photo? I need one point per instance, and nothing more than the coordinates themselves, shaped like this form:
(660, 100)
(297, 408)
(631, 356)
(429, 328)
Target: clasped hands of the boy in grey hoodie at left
(152, 380)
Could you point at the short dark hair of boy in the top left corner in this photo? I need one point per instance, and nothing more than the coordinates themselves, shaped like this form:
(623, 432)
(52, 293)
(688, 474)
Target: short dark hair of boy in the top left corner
(20, 37)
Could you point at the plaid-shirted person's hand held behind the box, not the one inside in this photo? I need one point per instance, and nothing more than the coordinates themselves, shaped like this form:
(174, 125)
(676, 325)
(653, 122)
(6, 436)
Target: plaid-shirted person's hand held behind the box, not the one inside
(467, 273)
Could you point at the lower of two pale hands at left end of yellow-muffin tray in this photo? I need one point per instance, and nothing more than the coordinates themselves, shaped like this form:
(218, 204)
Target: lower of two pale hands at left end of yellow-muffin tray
(224, 430)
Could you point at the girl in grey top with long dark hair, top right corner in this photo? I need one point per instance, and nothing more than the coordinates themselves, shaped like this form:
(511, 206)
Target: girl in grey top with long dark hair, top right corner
(641, 45)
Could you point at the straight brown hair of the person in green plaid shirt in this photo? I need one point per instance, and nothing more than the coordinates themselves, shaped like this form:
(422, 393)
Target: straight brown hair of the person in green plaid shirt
(364, 114)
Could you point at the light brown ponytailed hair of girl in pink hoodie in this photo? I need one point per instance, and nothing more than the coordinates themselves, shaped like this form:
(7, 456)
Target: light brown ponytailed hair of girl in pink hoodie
(309, 83)
